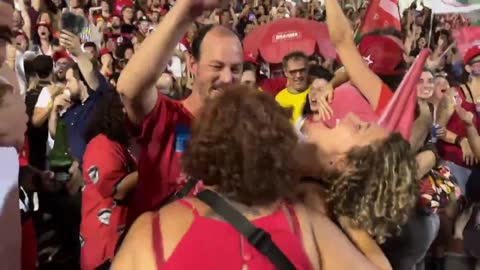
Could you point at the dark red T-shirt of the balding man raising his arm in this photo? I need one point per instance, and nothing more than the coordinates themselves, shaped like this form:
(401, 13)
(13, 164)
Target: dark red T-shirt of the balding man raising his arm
(162, 138)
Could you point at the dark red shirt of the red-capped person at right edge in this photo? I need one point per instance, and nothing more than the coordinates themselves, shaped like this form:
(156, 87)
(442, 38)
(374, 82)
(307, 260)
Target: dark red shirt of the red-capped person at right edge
(451, 152)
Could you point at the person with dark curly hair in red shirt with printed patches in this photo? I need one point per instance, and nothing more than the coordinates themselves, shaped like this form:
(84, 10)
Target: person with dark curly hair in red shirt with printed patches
(110, 174)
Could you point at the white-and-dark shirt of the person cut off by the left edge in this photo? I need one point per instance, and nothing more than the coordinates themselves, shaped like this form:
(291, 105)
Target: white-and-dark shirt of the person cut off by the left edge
(10, 228)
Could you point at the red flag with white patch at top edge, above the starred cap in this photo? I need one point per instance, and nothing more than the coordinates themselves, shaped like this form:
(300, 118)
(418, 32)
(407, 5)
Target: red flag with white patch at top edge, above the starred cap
(381, 14)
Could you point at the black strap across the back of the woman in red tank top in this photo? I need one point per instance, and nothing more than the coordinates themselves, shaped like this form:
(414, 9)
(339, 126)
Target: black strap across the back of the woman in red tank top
(257, 237)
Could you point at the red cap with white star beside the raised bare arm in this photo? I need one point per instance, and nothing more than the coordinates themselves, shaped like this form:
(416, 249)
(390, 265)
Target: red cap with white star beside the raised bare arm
(382, 54)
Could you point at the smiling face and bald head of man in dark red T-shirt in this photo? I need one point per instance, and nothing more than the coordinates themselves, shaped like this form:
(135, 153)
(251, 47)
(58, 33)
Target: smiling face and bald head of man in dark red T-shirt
(219, 67)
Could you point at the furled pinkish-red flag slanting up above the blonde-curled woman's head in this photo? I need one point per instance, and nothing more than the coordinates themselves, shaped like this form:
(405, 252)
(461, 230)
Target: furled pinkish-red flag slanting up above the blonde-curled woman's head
(399, 114)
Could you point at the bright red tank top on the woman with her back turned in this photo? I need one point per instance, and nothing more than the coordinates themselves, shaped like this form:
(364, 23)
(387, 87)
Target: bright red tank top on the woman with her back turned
(213, 244)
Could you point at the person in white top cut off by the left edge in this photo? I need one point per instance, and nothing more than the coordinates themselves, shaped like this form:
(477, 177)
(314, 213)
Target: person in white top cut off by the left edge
(12, 129)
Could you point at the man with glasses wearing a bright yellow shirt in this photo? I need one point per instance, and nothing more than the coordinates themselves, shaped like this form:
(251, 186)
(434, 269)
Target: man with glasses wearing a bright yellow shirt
(295, 67)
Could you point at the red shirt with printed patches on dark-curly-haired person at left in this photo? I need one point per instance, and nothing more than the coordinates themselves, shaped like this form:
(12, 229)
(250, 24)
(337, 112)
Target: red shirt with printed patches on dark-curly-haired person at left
(105, 164)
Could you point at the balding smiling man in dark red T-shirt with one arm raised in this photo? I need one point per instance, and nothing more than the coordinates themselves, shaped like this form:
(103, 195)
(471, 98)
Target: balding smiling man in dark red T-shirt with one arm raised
(162, 125)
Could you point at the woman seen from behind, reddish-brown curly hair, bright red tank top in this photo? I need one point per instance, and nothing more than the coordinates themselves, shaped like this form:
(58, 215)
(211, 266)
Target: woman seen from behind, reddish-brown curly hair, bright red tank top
(242, 150)
